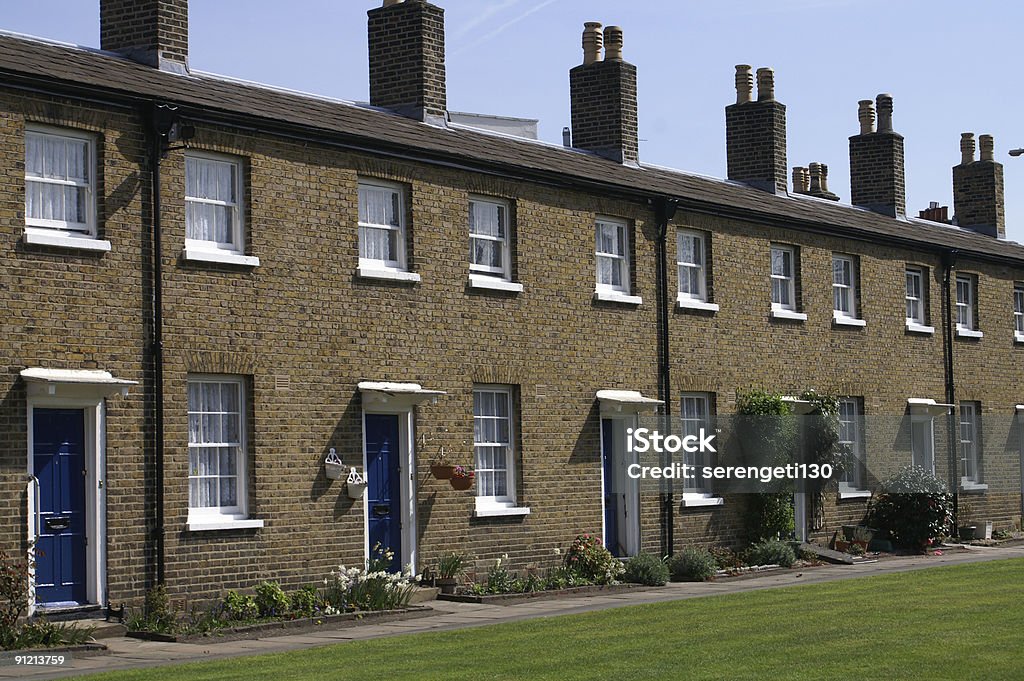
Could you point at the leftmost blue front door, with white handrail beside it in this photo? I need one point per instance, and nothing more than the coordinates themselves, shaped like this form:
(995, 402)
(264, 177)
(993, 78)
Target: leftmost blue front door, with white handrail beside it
(59, 463)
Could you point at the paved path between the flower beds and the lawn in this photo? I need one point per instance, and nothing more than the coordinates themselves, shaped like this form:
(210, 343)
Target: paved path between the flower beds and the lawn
(133, 654)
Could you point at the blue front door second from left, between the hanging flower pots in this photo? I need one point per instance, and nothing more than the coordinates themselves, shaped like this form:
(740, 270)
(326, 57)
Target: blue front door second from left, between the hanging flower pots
(385, 486)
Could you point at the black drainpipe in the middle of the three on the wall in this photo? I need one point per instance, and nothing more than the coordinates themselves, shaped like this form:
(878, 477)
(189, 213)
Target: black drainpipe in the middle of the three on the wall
(665, 210)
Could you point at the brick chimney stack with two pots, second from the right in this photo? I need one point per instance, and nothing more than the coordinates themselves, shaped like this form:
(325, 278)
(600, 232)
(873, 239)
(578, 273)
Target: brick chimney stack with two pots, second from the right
(877, 180)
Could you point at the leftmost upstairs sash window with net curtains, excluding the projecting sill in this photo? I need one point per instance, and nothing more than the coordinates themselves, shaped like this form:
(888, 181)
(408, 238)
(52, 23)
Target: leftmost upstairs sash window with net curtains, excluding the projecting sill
(60, 181)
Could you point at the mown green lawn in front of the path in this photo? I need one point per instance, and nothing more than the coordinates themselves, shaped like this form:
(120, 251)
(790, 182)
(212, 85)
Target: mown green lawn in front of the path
(944, 623)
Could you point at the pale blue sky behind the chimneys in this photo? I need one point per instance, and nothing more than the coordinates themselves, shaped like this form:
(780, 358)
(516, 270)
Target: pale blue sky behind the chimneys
(951, 67)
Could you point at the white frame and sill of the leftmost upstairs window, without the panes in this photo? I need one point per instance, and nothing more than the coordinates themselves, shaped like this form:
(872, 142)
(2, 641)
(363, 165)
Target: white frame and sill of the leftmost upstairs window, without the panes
(62, 233)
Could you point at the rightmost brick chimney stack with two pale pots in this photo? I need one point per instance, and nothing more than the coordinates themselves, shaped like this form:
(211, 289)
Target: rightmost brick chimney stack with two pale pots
(978, 189)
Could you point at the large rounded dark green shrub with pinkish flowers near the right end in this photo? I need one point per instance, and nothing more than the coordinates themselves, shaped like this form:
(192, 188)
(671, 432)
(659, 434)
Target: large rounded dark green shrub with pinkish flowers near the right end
(915, 508)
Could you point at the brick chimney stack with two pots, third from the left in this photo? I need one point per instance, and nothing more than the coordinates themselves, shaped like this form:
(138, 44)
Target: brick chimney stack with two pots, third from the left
(604, 98)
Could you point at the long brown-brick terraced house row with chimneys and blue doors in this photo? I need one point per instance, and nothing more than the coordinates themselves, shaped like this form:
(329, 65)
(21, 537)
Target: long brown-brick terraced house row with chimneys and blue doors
(214, 292)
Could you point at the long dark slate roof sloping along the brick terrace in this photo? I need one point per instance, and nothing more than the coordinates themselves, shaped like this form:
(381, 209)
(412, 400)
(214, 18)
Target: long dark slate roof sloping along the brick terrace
(84, 72)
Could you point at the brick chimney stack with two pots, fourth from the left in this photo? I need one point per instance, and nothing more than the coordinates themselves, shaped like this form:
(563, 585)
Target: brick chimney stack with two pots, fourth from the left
(755, 134)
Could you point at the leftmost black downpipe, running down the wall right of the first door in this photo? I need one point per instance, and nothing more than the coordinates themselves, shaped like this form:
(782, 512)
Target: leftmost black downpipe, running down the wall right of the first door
(160, 130)
